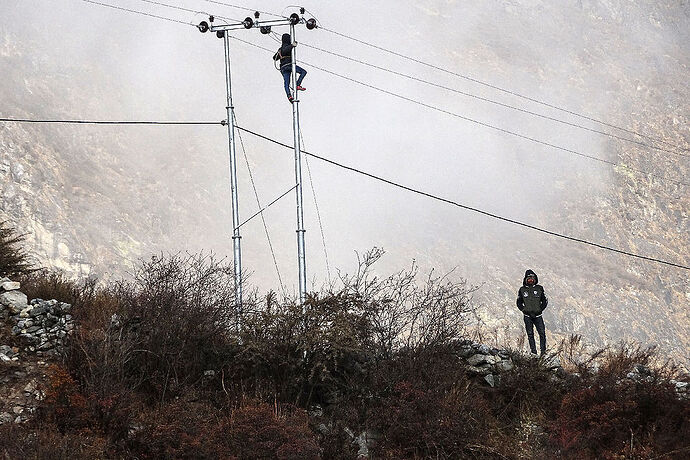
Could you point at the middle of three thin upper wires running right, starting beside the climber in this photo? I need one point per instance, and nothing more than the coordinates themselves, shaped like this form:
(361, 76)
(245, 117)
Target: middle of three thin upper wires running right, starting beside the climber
(491, 101)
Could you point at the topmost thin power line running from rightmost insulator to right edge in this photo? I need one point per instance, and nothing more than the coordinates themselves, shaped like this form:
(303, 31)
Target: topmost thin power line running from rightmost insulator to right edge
(504, 90)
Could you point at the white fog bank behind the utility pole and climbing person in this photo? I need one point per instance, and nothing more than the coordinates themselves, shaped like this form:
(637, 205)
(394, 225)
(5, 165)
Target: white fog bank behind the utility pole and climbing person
(131, 67)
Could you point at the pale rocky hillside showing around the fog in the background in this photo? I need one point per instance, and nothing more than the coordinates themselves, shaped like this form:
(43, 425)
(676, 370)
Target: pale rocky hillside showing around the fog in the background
(94, 200)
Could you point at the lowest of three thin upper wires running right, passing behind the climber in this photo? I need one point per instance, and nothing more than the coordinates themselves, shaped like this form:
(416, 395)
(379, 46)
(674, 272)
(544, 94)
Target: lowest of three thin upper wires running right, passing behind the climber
(478, 122)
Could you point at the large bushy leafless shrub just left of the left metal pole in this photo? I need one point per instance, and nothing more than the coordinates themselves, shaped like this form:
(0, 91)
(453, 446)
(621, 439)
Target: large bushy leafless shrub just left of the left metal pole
(159, 333)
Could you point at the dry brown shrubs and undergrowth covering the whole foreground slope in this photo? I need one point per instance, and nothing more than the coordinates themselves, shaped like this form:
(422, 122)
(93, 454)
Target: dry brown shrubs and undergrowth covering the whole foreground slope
(157, 369)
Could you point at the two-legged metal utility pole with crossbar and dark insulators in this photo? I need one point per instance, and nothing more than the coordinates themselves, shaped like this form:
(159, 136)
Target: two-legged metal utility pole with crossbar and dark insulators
(265, 28)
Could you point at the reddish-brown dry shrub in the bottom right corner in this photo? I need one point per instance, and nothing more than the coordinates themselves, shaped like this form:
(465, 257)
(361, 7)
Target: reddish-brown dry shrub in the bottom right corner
(626, 408)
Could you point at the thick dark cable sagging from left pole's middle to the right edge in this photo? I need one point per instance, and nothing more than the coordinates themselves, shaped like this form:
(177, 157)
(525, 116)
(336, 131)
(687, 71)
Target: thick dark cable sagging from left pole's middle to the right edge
(469, 208)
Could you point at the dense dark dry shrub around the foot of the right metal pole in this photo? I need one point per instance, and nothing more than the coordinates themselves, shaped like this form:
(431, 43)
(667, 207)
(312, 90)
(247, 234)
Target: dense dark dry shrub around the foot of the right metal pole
(316, 354)
